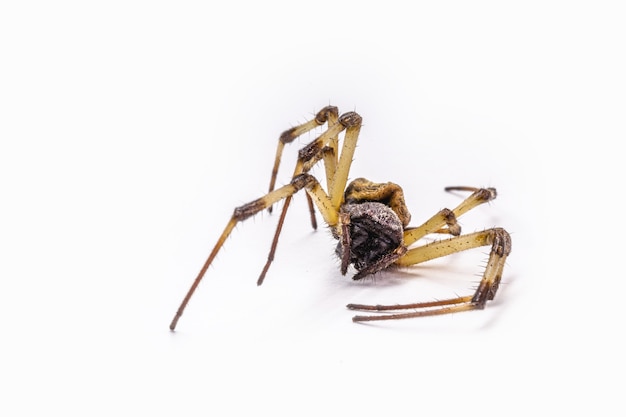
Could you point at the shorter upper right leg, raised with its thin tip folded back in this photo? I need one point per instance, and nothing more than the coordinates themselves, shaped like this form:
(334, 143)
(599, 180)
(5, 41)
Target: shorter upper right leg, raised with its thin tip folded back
(448, 217)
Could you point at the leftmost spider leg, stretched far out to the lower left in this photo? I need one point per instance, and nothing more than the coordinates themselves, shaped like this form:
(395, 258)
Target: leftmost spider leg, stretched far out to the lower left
(246, 211)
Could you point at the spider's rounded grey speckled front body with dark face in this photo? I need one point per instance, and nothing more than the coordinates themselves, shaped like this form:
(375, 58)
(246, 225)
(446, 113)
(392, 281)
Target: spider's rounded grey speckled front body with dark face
(371, 237)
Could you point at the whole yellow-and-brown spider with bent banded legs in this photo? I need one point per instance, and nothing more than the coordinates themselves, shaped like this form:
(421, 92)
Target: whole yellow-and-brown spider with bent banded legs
(370, 221)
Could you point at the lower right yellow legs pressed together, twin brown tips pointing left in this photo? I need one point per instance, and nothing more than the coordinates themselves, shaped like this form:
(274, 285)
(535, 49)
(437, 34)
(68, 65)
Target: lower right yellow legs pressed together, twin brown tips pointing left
(500, 242)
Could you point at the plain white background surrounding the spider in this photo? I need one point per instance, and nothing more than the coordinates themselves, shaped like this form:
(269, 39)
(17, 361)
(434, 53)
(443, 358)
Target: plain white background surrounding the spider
(130, 130)
